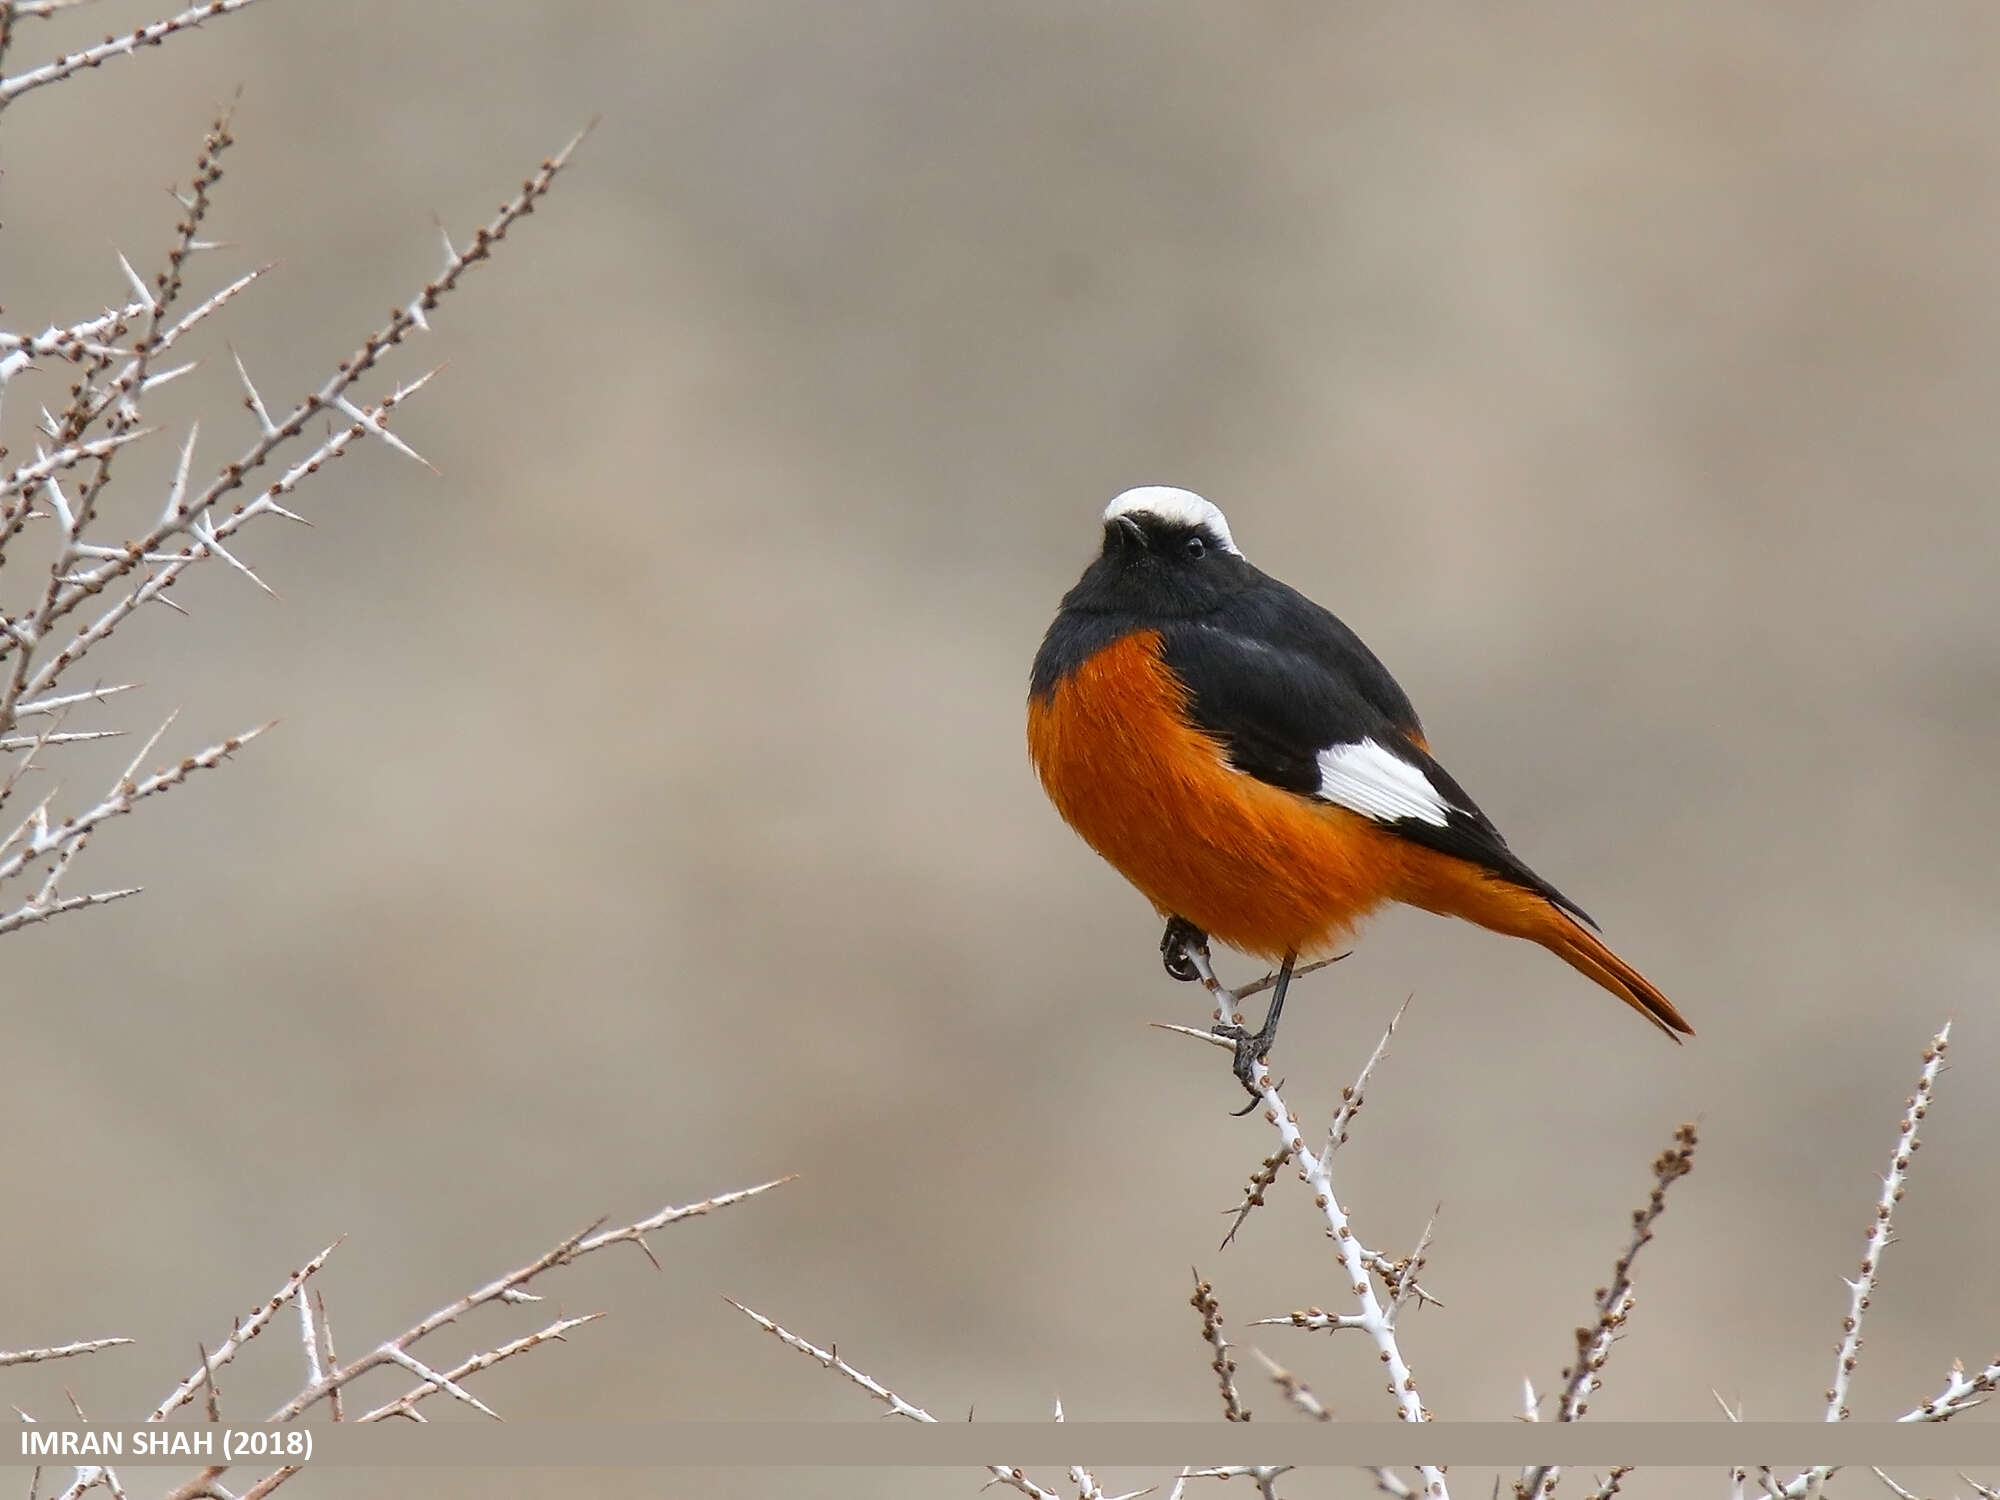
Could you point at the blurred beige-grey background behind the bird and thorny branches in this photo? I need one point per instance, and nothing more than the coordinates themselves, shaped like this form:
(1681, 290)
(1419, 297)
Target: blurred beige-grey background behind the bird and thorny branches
(649, 811)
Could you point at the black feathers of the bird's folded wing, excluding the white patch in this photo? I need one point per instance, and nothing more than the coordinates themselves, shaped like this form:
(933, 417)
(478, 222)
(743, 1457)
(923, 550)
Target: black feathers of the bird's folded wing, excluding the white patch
(1275, 709)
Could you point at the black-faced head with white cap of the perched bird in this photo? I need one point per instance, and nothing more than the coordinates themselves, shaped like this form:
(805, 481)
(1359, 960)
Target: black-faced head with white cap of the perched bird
(1167, 555)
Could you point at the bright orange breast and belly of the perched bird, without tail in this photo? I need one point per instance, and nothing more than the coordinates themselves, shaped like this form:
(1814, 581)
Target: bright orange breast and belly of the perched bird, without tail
(1249, 863)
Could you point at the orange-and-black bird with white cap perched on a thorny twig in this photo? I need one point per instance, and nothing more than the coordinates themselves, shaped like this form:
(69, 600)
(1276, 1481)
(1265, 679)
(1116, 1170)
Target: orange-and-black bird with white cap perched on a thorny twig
(1253, 769)
